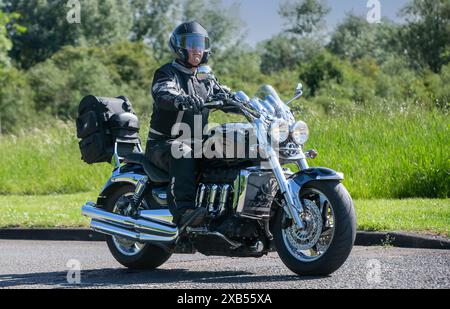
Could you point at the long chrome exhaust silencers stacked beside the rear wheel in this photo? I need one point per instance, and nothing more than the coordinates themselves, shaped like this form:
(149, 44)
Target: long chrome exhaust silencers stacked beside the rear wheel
(143, 230)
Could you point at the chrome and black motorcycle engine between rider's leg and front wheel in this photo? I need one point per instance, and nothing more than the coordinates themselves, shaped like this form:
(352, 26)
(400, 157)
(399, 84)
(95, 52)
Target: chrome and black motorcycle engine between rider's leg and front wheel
(239, 203)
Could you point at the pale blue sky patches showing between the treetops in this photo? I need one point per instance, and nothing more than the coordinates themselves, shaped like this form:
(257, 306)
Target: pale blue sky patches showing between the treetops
(263, 21)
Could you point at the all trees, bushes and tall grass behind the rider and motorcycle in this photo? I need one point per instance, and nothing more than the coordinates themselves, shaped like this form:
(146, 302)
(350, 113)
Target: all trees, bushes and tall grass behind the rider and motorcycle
(377, 113)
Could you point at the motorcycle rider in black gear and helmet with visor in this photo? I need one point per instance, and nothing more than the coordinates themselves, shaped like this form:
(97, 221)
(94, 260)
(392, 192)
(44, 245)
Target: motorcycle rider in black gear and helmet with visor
(179, 97)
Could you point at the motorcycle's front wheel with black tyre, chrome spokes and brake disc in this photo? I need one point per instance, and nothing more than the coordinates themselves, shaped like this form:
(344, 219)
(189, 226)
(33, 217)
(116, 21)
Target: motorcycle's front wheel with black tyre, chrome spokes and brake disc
(327, 240)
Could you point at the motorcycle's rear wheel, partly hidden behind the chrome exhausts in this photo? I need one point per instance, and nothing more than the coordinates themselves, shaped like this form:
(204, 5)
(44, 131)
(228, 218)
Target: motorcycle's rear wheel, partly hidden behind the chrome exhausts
(131, 254)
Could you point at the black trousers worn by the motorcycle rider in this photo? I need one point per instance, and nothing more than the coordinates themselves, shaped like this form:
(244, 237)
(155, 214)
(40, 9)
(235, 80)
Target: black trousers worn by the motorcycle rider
(183, 173)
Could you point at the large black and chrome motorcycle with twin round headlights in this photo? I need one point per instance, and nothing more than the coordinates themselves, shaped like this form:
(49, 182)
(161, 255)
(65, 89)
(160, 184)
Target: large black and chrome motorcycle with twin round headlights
(255, 204)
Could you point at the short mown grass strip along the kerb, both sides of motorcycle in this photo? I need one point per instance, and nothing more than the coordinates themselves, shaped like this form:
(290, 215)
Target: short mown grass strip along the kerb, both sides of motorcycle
(414, 215)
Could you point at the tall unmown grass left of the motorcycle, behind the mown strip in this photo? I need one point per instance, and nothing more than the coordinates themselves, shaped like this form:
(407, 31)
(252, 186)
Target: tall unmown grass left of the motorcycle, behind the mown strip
(42, 161)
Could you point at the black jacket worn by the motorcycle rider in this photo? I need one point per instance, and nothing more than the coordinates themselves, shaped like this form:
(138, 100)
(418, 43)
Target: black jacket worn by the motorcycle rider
(170, 81)
